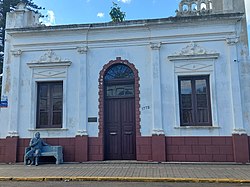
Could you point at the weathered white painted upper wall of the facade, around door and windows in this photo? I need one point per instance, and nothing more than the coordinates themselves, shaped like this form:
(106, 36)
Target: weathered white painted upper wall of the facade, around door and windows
(132, 42)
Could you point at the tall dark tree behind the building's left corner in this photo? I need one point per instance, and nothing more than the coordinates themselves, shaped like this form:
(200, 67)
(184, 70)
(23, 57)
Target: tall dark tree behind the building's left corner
(7, 6)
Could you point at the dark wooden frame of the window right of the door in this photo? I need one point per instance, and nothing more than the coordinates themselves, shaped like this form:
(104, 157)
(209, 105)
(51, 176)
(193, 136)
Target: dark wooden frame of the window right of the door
(195, 122)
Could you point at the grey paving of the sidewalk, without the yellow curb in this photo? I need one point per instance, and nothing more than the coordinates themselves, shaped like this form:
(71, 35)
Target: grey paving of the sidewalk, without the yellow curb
(157, 170)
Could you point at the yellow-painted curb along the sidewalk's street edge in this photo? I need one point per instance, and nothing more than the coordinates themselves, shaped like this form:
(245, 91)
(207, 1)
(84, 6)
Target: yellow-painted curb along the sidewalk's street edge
(124, 179)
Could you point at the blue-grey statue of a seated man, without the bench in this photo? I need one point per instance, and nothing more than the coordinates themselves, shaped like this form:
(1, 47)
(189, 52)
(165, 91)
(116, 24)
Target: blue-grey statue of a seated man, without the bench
(34, 149)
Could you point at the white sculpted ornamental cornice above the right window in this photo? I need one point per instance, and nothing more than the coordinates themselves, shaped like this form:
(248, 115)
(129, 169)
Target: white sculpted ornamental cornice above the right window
(193, 51)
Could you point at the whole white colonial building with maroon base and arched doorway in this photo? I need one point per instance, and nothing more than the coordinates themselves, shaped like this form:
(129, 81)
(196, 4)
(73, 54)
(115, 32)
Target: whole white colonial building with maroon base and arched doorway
(171, 89)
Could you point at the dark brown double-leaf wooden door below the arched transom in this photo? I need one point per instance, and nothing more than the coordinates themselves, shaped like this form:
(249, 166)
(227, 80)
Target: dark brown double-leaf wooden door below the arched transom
(120, 129)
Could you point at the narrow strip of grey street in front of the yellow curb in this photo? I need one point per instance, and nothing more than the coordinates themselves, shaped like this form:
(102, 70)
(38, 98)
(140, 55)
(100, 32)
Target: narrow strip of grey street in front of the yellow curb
(114, 184)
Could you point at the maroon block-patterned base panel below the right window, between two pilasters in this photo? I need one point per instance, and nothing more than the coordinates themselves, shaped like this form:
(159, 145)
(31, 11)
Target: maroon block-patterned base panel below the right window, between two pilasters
(199, 149)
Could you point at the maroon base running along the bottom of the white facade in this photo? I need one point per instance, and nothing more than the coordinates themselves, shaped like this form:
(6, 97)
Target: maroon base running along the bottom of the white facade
(233, 148)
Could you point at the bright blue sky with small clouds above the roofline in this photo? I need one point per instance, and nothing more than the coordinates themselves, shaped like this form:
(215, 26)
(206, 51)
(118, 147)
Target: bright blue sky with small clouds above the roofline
(94, 11)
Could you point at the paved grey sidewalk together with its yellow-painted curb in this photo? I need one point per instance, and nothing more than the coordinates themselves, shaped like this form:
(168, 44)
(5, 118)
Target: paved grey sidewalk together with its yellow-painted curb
(128, 171)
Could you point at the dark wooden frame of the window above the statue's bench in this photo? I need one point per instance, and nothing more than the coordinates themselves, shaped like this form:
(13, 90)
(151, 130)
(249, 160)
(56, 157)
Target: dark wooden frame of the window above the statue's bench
(50, 85)
